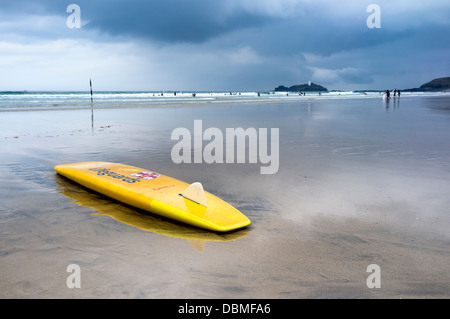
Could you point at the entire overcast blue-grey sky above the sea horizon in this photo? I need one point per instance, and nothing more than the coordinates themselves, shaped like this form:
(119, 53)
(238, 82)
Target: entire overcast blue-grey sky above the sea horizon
(225, 45)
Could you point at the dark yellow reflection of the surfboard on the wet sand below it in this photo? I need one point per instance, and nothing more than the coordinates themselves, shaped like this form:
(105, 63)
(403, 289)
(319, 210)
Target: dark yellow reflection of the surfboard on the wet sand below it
(140, 219)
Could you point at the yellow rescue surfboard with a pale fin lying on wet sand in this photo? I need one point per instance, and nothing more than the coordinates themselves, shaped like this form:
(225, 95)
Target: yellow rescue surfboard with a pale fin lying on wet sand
(156, 193)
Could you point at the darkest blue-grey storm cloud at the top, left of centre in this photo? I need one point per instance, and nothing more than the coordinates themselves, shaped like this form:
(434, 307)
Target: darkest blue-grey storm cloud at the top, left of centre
(170, 20)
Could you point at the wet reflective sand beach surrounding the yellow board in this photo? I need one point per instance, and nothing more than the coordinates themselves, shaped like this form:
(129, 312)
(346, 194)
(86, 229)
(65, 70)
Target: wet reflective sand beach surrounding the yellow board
(360, 182)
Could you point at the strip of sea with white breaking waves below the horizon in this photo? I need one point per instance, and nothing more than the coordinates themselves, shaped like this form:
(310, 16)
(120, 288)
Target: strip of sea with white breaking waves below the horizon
(55, 100)
